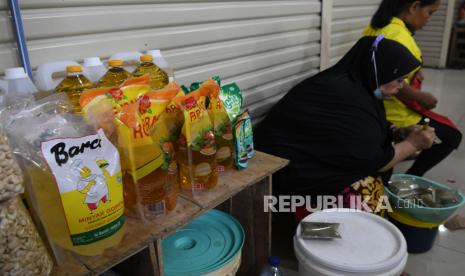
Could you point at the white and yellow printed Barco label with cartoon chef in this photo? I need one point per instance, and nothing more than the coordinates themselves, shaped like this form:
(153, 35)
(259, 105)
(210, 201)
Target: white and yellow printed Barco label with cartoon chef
(87, 171)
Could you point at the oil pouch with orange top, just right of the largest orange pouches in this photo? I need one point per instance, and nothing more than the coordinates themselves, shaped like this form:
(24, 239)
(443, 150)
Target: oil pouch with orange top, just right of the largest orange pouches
(197, 170)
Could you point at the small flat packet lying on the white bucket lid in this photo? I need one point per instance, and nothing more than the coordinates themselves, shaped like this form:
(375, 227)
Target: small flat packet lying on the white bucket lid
(319, 230)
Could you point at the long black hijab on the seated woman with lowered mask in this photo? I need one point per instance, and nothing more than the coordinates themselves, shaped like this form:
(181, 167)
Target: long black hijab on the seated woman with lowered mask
(331, 126)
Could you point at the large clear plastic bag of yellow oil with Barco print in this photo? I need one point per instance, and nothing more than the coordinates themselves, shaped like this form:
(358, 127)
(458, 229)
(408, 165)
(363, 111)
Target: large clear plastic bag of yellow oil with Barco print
(74, 175)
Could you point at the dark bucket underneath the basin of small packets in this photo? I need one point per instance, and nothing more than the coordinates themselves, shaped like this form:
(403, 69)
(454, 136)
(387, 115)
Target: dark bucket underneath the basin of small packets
(419, 235)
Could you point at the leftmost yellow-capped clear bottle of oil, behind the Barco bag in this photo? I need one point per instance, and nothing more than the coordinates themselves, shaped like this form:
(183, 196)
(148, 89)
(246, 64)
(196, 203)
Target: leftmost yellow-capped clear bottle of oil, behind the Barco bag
(73, 85)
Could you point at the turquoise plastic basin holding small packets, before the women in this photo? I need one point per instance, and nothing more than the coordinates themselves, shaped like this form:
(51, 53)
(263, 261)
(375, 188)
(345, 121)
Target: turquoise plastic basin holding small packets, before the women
(427, 214)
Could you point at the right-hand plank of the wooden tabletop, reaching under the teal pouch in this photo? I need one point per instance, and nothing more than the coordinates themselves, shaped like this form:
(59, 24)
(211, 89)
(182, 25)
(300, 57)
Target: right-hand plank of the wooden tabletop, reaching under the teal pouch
(261, 166)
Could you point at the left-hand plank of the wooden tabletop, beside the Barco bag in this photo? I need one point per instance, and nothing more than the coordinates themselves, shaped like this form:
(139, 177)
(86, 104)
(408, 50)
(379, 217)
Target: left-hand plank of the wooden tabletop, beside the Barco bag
(139, 236)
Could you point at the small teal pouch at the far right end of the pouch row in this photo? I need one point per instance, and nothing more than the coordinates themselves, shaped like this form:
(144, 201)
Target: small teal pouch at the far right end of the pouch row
(243, 141)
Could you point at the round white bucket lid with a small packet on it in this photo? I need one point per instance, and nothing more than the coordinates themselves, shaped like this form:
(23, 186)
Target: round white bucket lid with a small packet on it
(369, 243)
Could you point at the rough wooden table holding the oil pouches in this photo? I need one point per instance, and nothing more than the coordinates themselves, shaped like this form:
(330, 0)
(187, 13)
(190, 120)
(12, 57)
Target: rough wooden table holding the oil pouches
(241, 193)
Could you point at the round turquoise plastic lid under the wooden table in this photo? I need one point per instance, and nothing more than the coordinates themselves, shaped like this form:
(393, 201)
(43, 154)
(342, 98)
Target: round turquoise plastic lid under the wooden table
(207, 244)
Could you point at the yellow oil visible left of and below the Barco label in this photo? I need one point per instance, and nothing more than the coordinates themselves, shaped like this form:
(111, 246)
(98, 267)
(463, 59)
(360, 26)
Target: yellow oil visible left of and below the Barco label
(49, 207)
